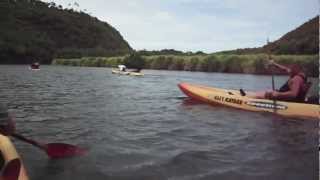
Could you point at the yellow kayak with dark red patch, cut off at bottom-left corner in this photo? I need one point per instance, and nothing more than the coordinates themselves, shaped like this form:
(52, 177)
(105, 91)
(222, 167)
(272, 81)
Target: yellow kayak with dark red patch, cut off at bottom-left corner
(12, 161)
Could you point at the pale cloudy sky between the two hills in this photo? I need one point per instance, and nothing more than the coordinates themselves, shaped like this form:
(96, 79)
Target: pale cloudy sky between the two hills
(199, 25)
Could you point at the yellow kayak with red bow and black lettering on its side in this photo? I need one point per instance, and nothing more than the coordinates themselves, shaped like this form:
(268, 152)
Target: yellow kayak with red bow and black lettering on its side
(232, 98)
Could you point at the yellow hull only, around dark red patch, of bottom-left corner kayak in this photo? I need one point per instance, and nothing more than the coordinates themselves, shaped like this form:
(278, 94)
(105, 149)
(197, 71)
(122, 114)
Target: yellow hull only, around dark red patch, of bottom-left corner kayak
(9, 153)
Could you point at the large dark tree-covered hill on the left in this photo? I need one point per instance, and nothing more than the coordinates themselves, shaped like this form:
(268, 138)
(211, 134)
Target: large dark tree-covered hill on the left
(32, 30)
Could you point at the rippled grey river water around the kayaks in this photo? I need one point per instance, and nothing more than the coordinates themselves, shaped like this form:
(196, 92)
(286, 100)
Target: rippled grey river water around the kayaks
(145, 128)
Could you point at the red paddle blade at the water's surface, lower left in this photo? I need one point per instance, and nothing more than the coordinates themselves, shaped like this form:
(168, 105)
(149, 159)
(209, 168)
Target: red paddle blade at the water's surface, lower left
(61, 150)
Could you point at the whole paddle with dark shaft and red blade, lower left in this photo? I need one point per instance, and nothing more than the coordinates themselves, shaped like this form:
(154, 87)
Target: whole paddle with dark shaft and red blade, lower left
(53, 150)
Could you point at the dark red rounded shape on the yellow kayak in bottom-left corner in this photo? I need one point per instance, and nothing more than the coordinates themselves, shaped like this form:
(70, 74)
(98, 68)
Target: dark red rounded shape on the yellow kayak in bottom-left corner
(12, 170)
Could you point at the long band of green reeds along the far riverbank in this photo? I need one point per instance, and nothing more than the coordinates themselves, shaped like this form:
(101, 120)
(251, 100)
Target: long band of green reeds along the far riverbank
(252, 64)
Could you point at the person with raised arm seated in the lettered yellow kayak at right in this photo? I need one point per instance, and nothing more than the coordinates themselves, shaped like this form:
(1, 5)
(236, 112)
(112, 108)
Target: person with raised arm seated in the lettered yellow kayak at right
(295, 89)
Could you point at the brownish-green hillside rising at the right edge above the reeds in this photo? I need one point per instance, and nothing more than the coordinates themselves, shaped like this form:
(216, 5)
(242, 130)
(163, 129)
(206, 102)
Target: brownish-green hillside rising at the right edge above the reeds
(302, 40)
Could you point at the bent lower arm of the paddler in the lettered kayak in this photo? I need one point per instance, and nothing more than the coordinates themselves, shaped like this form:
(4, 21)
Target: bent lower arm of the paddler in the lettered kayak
(294, 89)
